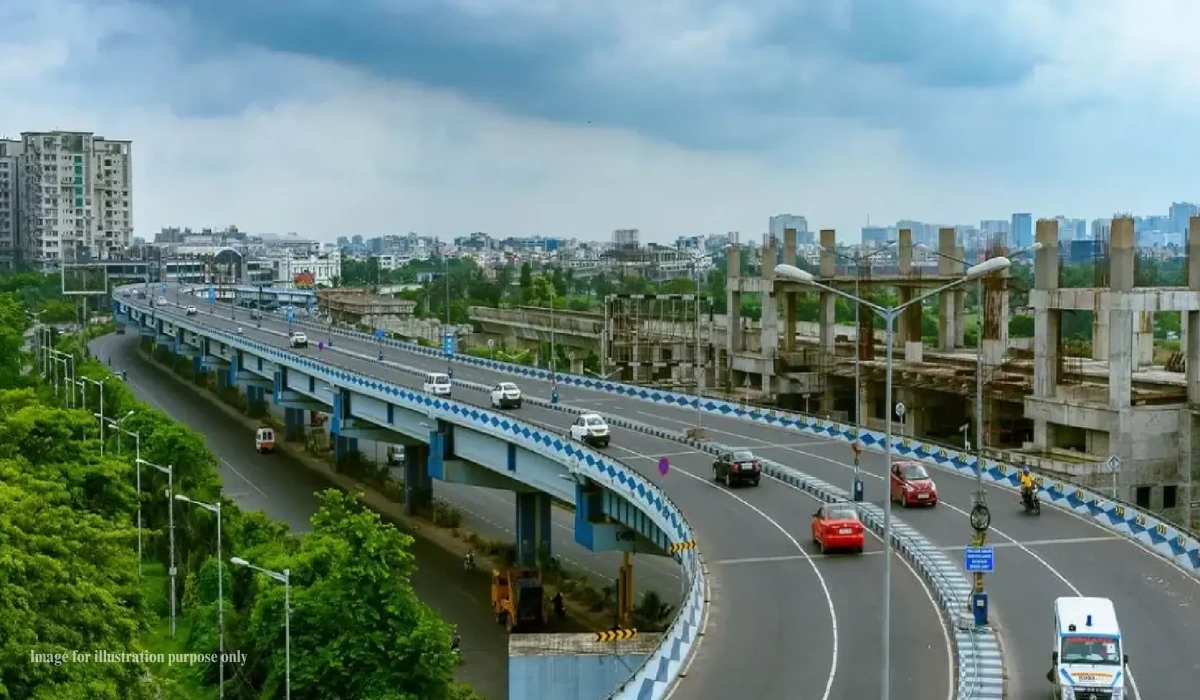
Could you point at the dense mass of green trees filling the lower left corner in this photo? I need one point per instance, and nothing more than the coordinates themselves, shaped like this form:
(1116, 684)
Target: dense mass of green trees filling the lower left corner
(70, 577)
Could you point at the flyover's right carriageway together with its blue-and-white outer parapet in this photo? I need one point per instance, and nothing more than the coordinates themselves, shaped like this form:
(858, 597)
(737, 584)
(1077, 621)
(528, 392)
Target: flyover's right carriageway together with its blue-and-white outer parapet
(1088, 545)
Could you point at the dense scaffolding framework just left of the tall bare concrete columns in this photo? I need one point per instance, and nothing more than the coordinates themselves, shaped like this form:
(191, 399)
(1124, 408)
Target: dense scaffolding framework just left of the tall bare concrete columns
(655, 338)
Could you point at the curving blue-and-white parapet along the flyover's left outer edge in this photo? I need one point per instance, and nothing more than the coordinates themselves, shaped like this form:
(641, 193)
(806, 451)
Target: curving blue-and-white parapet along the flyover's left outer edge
(662, 671)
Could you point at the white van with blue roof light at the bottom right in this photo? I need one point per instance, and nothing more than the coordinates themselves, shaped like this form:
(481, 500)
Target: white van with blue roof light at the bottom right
(1088, 660)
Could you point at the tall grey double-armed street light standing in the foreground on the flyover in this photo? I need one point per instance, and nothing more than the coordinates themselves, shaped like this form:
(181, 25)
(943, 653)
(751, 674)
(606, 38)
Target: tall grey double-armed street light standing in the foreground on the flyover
(794, 274)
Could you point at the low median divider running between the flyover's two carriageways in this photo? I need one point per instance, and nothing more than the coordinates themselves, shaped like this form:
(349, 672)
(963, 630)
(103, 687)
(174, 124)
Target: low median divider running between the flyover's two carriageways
(977, 651)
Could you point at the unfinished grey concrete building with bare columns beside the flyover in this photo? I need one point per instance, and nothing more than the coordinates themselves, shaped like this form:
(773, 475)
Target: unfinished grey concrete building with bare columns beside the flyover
(1064, 406)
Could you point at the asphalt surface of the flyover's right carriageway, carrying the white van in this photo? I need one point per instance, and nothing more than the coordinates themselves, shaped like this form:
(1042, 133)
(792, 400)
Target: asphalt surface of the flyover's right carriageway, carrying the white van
(1037, 559)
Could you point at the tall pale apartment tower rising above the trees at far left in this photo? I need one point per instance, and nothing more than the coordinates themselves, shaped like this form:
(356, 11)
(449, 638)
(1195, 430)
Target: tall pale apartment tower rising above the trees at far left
(74, 198)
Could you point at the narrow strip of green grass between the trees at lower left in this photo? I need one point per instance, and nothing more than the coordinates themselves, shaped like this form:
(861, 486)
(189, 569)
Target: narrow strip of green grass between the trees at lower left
(187, 680)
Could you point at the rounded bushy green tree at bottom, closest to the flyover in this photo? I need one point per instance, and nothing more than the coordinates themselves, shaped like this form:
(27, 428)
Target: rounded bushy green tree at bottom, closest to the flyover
(355, 609)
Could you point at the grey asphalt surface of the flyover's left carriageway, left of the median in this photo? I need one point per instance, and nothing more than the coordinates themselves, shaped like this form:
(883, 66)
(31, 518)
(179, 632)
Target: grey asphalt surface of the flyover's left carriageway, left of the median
(785, 623)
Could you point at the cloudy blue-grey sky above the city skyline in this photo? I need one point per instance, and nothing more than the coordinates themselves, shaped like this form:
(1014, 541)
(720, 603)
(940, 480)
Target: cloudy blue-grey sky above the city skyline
(573, 118)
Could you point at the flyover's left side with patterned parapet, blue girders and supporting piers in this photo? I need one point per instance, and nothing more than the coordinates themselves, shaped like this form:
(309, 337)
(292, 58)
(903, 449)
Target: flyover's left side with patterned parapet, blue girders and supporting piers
(447, 440)
